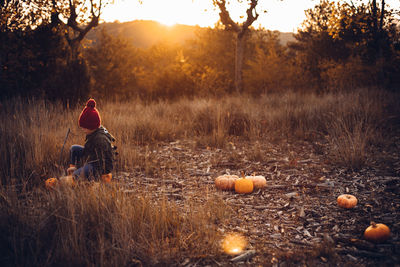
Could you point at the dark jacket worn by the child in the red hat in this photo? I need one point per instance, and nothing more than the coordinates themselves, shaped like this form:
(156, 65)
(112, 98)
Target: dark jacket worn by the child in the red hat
(98, 151)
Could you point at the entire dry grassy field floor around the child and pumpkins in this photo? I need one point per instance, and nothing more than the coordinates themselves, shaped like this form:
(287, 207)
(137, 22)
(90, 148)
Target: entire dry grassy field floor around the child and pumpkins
(163, 208)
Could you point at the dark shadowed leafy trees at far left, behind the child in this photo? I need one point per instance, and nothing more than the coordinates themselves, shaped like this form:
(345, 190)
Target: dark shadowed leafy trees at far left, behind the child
(37, 57)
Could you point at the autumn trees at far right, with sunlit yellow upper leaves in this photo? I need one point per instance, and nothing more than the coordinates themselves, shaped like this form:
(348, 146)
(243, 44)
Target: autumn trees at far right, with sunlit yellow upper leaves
(346, 46)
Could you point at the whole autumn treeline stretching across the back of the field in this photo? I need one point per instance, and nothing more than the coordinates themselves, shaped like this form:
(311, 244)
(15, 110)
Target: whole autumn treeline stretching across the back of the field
(339, 47)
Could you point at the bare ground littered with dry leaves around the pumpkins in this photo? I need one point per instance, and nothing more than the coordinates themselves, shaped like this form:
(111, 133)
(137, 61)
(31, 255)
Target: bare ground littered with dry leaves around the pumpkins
(295, 220)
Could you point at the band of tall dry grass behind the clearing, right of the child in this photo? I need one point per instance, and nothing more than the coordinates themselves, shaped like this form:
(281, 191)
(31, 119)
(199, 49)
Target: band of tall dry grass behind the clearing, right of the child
(351, 123)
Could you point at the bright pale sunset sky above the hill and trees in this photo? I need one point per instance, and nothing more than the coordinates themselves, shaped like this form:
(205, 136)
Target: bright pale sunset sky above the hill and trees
(285, 16)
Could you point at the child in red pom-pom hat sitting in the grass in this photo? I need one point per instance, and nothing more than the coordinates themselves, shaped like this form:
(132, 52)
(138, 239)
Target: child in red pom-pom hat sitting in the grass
(94, 160)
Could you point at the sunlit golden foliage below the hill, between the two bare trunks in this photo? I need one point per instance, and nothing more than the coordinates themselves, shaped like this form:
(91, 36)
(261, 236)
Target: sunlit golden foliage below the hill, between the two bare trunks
(166, 70)
